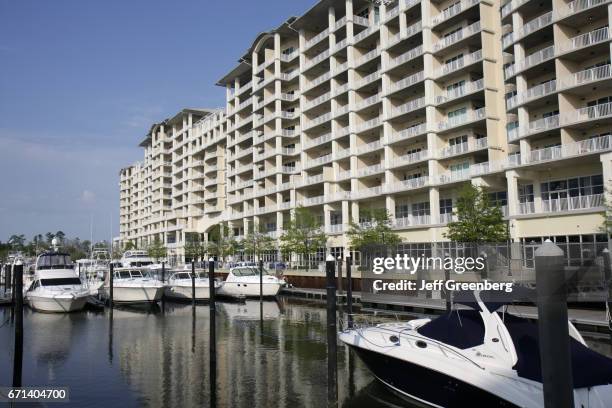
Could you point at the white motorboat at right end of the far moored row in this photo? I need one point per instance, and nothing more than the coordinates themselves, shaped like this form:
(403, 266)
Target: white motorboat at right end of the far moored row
(244, 281)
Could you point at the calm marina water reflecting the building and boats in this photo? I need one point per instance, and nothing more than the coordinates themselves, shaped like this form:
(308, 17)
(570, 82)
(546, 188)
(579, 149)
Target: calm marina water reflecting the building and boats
(154, 358)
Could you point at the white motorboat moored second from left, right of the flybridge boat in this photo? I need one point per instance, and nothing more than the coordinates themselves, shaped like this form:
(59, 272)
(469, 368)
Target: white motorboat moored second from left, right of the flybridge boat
(134, 285)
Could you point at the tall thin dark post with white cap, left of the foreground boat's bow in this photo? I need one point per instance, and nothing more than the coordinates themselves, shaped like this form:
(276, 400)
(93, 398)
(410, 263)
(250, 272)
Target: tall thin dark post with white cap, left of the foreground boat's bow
(332, 357)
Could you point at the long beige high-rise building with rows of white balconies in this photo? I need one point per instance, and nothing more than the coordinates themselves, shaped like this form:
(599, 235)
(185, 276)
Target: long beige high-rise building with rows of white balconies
(358, 105)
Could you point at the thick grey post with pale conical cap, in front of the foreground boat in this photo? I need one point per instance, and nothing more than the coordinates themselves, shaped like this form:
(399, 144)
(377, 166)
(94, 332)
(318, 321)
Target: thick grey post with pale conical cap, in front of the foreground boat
(553, 327)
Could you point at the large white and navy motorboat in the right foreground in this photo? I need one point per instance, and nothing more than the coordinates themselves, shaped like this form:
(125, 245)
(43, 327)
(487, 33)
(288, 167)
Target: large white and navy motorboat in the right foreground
(474, 356)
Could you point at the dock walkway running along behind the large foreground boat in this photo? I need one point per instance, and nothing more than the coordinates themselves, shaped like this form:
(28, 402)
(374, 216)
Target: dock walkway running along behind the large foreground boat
(590, 320)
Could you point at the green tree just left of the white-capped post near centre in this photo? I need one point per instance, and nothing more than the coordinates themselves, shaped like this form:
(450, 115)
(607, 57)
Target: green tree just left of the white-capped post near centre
(303, 235)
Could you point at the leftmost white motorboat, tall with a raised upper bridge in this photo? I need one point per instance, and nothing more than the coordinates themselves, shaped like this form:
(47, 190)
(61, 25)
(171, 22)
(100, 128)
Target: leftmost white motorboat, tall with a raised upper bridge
(56, 288)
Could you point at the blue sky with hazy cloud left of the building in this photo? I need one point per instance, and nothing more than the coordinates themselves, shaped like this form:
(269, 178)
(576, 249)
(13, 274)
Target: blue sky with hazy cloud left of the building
(81, 81)
